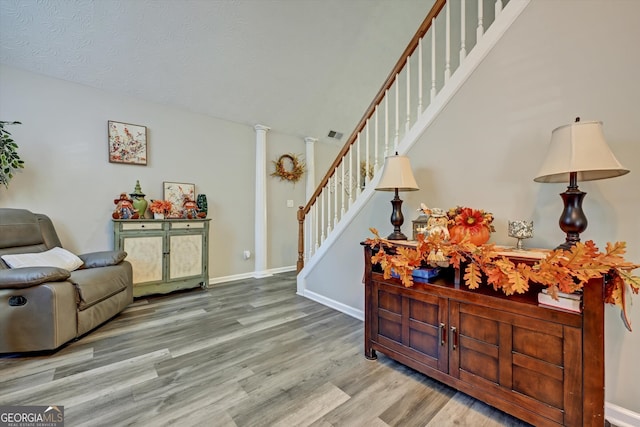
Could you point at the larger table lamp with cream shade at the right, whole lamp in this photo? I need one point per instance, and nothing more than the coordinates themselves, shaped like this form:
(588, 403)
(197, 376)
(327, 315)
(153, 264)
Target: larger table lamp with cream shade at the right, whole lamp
(577, 151)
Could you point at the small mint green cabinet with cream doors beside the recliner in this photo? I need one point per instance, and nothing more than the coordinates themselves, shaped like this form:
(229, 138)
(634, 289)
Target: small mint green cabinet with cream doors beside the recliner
(166, 255)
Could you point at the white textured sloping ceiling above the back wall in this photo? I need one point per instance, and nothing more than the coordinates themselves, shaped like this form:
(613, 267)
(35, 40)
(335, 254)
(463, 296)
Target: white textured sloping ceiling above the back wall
(301, 67)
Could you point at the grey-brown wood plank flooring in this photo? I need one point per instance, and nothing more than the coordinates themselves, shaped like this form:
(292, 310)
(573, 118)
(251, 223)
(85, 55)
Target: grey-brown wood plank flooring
(245, 353)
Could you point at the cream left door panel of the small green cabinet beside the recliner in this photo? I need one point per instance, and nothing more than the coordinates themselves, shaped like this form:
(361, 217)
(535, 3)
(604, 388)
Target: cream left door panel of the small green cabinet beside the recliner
(145, 255)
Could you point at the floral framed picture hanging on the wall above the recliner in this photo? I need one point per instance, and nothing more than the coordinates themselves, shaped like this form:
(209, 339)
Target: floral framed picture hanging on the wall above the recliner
(127, 143)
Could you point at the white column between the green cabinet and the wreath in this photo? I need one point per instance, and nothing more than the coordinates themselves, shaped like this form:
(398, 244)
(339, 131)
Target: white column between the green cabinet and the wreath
(261, 203)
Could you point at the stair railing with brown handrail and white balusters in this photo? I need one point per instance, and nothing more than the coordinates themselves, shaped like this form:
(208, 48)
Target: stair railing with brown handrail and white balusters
(426, 61)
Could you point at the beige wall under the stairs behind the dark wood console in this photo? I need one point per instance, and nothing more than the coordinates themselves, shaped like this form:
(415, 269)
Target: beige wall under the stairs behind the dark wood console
(559, 60)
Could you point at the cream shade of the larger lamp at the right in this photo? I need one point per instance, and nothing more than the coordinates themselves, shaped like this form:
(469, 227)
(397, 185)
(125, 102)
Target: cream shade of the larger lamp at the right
(579, 147)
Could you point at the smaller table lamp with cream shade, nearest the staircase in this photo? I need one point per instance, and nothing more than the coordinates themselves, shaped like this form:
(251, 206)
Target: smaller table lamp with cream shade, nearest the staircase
(397, 176)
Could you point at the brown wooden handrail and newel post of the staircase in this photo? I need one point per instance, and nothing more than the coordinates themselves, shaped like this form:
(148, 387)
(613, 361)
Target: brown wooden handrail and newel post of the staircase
(400, 64)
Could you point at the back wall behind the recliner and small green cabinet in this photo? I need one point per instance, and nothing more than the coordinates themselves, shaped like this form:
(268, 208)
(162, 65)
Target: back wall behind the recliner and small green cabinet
(67, 175)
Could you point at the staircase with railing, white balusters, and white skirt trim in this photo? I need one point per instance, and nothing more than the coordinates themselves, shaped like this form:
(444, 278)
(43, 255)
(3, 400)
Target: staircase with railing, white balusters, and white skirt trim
(450, 43)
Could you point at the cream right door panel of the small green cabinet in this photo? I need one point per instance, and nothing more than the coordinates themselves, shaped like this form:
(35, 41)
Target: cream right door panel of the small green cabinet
(185, 256)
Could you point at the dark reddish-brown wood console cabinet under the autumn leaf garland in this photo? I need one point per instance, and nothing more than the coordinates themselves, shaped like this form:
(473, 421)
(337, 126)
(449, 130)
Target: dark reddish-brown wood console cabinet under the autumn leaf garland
(541, 365)
